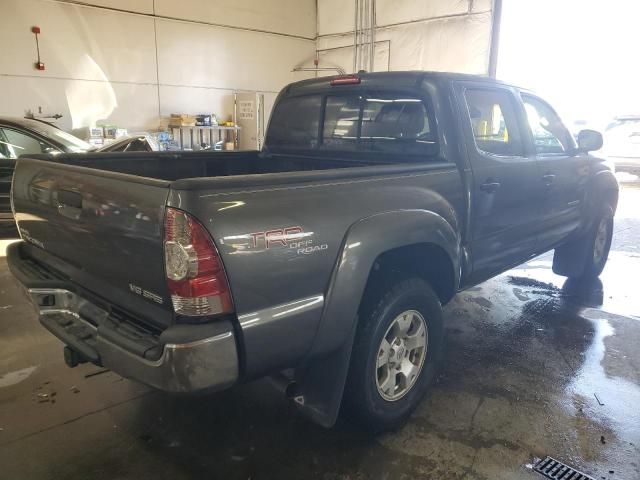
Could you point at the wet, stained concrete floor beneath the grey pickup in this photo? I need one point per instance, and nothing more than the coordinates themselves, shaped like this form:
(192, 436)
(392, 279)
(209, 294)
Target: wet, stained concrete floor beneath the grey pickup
(535, 366)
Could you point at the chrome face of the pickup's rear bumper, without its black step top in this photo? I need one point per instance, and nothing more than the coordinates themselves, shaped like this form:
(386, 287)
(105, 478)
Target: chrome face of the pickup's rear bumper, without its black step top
(207, 363)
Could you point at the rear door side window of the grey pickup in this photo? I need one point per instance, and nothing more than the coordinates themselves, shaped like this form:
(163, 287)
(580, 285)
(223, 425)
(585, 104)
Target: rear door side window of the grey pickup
(494, 121)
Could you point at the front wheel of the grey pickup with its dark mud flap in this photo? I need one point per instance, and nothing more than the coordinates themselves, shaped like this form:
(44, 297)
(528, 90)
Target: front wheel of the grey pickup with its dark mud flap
(578, 258)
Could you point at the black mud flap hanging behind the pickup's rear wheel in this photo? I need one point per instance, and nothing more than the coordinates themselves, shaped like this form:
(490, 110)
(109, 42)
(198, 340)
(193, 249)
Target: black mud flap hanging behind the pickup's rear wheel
(320, 383)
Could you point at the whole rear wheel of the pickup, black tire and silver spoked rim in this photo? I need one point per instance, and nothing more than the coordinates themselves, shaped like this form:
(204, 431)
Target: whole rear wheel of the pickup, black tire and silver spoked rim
(395, 354)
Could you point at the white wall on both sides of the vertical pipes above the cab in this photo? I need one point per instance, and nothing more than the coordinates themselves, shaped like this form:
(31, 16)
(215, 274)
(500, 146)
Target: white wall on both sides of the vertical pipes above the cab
(442, 35)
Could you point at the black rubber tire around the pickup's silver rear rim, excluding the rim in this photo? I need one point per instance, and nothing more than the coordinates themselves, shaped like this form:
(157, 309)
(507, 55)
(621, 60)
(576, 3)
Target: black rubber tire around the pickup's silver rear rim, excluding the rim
(362, 398)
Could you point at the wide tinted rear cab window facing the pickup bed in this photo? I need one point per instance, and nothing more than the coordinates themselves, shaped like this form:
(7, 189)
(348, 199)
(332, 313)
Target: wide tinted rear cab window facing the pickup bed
(357, 121)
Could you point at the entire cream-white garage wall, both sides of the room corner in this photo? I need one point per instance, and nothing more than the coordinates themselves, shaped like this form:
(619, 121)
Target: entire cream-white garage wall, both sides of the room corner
(130, 61)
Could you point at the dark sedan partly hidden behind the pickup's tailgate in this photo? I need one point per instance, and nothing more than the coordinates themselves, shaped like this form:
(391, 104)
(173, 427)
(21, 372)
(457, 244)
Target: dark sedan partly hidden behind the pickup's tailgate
(21, 136)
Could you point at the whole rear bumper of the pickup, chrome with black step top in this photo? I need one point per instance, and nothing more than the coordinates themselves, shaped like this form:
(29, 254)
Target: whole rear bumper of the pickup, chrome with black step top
(183, 358)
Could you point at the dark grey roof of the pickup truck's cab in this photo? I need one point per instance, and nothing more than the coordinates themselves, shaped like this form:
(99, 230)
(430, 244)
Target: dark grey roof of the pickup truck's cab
(396, 78)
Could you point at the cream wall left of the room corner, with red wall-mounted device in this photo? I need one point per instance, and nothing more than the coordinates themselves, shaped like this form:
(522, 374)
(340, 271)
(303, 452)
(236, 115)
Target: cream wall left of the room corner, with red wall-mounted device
(127, 65)
